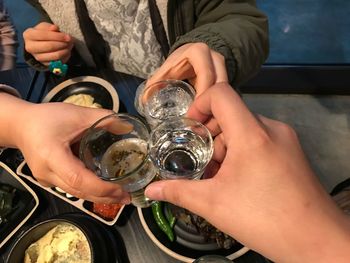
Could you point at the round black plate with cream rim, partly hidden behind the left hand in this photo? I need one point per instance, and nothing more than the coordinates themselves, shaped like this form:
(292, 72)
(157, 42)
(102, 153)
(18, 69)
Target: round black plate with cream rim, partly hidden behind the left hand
(101, 90)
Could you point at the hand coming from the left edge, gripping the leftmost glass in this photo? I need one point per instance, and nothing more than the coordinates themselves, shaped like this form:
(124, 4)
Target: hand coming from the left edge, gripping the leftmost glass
(45, 135)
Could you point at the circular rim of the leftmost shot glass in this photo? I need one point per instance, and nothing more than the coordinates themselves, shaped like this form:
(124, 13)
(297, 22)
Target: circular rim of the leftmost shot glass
(89, 131)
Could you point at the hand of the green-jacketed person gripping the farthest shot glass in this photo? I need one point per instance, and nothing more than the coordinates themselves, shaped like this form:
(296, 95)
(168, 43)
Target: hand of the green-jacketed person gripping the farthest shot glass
(194, 62)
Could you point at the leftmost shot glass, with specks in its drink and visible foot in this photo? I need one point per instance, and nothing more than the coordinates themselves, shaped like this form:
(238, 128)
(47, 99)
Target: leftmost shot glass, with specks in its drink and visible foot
(120, 158)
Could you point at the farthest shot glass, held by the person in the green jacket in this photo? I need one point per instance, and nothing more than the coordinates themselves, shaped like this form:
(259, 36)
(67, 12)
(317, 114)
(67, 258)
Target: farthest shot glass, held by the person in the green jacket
(163, 100)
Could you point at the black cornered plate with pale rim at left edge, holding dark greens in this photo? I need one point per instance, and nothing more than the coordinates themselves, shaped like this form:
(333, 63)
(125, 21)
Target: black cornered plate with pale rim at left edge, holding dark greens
(24, 201)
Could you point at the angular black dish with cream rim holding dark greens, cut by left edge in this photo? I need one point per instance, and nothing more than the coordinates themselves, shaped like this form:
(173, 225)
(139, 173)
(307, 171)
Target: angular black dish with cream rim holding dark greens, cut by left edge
(24, 201)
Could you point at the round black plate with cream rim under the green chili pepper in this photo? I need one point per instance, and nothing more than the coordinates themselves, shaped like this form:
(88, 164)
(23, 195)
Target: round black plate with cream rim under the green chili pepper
(187, 245)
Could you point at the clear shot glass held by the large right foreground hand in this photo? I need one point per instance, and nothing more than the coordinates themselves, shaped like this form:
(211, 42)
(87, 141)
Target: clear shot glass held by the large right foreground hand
(180, 148)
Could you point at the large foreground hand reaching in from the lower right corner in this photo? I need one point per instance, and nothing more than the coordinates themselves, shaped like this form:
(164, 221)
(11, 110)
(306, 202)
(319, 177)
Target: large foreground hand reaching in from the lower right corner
(261, 190)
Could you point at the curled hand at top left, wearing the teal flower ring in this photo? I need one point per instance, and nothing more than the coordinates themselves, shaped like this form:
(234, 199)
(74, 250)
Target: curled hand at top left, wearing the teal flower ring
(46, 43)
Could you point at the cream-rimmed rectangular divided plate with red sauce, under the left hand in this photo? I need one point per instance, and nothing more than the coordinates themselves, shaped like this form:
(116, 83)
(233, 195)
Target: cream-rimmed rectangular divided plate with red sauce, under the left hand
(85, 206)
